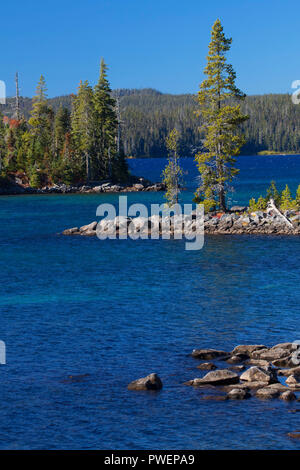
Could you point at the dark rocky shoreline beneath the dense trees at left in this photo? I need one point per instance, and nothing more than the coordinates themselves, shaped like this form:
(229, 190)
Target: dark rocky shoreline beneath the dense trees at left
(134, 185)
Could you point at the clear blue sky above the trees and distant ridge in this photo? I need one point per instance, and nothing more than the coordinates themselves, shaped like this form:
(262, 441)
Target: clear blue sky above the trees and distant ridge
(160, 44)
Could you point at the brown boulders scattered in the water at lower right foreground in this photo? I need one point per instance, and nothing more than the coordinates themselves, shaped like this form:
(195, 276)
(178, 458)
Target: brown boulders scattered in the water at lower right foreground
(246, 371)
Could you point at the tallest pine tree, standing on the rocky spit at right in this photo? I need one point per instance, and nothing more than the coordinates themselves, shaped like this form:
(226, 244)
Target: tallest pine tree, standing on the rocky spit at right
(220, 120)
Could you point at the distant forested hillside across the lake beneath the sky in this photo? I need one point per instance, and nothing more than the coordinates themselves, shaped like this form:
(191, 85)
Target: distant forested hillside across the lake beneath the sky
(147, 116)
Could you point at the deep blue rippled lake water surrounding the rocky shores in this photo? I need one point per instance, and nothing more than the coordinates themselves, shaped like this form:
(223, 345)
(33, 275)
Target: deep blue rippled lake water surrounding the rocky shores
(118, 310)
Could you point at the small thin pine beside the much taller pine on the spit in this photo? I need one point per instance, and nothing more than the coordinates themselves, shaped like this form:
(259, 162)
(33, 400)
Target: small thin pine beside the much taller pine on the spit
(172, 174)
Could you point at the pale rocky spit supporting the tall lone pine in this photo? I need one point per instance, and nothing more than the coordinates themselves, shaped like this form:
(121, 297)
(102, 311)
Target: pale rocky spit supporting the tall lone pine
(238, 221)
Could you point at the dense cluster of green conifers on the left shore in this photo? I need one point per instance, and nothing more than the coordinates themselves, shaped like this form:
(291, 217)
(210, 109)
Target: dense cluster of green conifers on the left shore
(70, 140)
